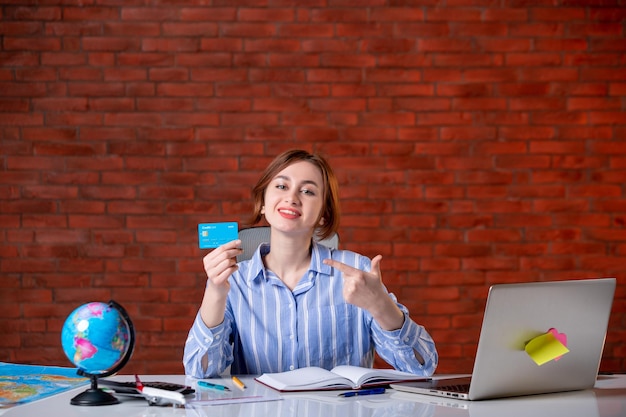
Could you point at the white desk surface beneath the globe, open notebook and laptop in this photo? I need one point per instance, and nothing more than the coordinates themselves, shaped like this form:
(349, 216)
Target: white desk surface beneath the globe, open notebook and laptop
(607, 399)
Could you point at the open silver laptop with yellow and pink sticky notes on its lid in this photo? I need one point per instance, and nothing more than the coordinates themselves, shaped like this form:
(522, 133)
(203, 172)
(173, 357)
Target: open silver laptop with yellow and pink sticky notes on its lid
(514, 315)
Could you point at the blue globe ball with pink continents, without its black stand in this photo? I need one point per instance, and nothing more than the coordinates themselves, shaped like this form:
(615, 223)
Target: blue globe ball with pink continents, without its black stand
(95, 337)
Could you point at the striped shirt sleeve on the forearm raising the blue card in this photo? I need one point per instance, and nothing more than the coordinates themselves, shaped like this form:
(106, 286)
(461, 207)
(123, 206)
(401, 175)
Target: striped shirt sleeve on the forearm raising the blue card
(207, 350)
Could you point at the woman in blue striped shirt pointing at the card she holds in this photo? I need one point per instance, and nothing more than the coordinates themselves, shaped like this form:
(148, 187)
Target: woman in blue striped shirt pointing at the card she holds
(297, 303)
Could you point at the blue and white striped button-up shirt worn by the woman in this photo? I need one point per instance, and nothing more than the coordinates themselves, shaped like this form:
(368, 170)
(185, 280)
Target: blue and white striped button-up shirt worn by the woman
(269, 328)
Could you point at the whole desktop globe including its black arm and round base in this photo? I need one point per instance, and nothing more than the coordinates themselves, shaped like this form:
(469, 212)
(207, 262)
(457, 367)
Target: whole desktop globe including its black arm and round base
(99, 339)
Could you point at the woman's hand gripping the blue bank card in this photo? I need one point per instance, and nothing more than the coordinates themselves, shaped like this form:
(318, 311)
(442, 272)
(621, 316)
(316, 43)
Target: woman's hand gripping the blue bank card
(219, 264)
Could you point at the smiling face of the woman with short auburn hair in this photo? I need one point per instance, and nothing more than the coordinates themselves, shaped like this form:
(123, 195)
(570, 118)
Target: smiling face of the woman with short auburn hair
(294, 198)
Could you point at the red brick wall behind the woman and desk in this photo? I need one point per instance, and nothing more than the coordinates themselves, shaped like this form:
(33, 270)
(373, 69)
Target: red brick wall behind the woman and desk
(476, 142)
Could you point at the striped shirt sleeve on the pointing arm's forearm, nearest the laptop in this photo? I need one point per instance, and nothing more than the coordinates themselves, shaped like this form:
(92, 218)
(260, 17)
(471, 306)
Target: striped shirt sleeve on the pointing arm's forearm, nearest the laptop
(399, 347)
